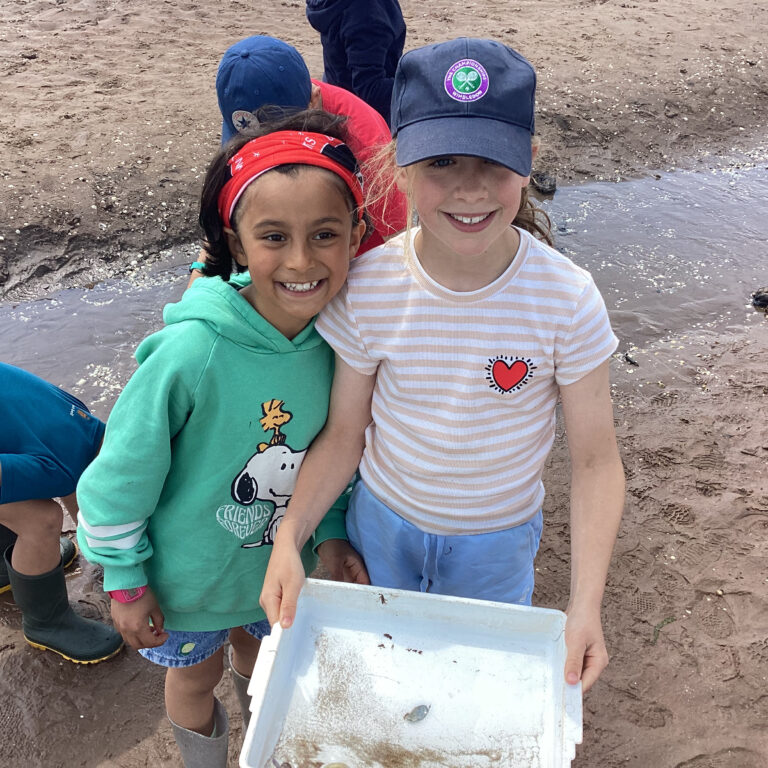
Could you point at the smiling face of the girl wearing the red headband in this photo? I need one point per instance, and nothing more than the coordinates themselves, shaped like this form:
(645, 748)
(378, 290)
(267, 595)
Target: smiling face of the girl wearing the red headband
(296, 234)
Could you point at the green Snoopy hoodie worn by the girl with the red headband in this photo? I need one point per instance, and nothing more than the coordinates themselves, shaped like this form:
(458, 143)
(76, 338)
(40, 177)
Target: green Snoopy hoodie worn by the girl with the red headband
(200, 459)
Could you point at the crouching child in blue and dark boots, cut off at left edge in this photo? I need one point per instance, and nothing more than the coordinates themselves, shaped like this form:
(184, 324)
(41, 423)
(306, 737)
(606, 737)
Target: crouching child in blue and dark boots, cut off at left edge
(47, 439)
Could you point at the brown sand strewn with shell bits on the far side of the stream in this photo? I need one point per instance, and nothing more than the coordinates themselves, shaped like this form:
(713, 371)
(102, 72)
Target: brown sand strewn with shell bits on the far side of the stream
(109, 112)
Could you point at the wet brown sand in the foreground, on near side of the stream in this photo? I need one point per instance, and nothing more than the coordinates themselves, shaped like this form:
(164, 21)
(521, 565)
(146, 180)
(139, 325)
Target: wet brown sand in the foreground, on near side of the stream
(684, 609)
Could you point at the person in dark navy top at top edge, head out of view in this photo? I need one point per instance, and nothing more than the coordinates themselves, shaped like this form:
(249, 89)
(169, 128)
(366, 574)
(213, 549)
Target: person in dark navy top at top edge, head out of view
(362, 43)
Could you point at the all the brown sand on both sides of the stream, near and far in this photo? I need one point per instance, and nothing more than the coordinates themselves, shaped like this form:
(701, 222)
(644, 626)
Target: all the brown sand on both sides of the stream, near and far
(109, 118)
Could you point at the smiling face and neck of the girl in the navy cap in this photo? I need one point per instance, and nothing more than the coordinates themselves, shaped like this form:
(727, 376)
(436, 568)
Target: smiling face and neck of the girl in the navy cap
(466, 206)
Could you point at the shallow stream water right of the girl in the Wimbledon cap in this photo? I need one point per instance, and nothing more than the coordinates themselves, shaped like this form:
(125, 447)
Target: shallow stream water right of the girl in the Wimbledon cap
(673, 255)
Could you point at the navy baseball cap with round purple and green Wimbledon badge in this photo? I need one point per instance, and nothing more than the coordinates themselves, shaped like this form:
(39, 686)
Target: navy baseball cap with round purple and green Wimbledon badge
(464, 97)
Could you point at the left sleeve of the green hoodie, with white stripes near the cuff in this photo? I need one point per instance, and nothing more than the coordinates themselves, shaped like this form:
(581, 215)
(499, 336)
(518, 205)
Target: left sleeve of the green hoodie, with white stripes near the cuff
(120, 489)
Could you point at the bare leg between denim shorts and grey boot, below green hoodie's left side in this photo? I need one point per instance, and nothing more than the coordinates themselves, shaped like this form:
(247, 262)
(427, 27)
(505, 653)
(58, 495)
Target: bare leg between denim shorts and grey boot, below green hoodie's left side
(189, 698)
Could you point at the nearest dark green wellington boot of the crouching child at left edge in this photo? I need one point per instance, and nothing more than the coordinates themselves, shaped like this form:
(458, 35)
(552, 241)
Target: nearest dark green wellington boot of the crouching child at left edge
(49, 623)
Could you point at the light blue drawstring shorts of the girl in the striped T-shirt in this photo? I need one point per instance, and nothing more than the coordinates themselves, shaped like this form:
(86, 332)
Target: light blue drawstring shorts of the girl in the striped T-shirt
(487, 566)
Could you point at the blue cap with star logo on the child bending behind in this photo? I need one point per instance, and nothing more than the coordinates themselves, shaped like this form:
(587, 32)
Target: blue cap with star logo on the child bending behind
(257, 72)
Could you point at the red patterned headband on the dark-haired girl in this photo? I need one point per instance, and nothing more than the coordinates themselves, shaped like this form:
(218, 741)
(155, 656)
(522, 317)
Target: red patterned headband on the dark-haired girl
(284, 148)
